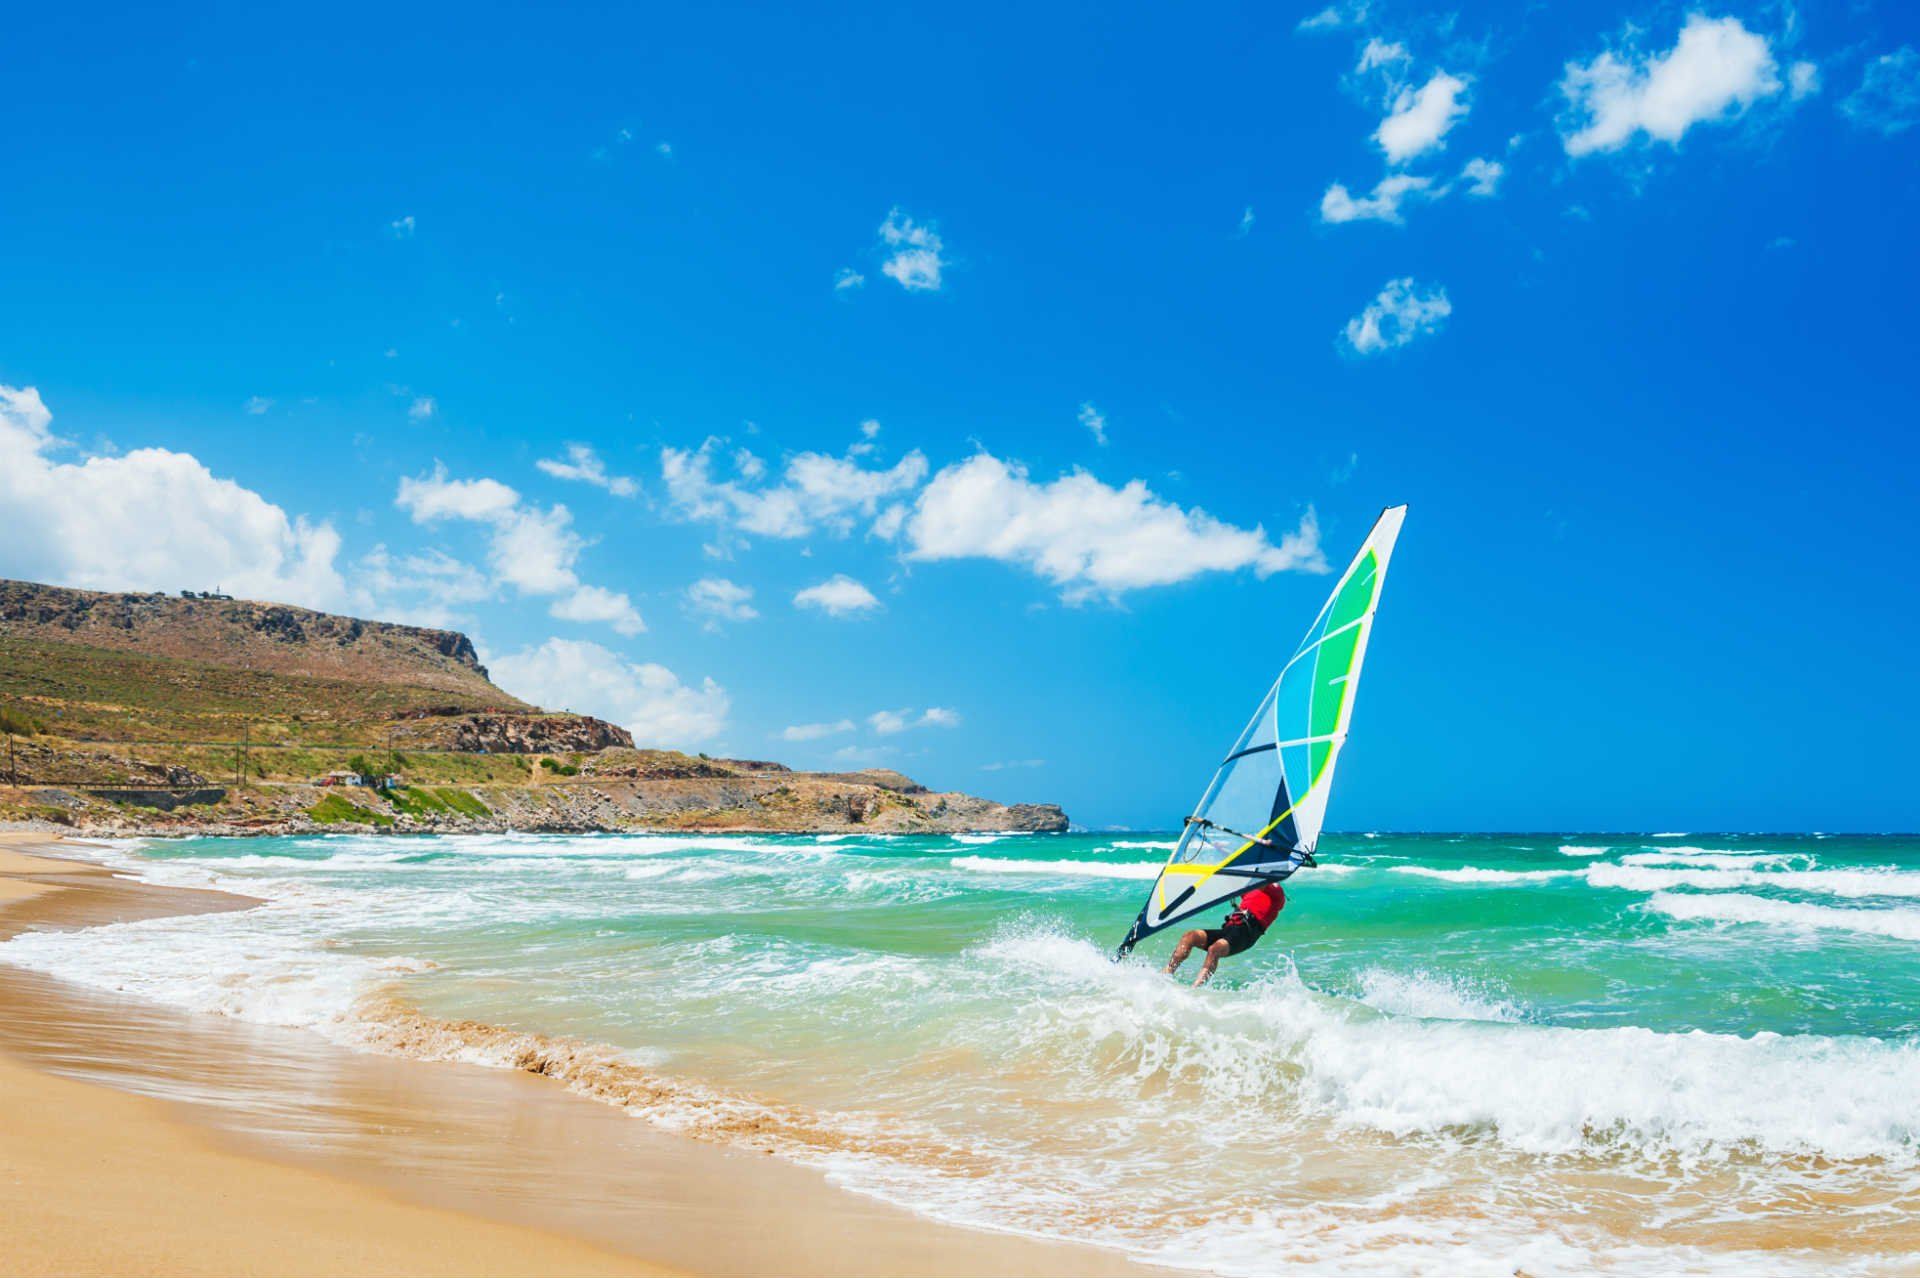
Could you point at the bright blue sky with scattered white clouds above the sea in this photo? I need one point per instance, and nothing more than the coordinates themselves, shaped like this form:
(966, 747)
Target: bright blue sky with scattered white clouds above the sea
(978, 392)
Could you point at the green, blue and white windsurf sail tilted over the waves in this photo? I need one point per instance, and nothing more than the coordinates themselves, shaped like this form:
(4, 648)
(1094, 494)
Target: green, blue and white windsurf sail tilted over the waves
(1262, 813)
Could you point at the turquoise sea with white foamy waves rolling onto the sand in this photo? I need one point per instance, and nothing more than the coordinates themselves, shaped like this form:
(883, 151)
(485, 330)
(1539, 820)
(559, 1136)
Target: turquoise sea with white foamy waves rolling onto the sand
(1451, 1054)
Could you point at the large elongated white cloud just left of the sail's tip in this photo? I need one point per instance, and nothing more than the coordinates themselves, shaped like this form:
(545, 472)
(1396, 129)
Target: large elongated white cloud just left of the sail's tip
(1090, 538)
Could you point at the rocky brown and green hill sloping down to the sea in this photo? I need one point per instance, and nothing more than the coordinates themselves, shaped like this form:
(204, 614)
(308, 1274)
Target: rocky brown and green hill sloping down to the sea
(158, 715)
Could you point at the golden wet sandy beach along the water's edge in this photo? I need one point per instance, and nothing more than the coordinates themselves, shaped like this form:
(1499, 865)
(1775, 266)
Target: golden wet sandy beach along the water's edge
(304, 1139)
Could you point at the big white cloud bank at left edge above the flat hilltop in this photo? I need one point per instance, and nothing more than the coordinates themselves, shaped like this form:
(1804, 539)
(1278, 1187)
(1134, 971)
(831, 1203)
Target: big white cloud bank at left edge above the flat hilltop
(151, 519)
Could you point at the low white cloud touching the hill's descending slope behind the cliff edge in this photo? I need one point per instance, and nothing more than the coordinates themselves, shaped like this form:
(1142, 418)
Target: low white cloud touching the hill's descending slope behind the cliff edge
(648, 699)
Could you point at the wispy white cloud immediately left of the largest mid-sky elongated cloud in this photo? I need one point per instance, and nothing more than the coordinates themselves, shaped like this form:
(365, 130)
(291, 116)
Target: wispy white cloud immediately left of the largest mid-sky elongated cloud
(815, 492)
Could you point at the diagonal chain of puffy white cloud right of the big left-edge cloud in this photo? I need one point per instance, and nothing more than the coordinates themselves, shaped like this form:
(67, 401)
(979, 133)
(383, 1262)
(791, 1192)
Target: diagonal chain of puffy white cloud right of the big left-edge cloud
(529, 548)
